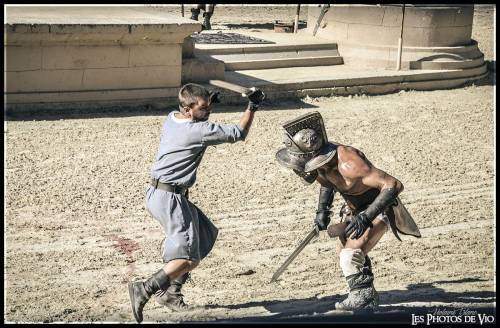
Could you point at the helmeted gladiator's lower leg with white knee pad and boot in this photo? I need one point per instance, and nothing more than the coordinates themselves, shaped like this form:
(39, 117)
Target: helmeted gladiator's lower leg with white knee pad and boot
(357, 270)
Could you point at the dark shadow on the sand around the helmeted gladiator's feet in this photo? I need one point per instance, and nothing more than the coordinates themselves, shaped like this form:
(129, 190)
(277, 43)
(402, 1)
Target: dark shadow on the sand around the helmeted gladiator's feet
(391, 309)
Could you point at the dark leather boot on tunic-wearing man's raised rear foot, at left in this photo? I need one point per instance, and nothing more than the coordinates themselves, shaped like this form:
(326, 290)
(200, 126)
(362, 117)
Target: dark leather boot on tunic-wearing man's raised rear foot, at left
(140, 292)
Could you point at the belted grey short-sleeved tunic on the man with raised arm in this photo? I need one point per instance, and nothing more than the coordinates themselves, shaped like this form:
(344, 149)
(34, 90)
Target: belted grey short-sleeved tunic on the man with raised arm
(189, 234)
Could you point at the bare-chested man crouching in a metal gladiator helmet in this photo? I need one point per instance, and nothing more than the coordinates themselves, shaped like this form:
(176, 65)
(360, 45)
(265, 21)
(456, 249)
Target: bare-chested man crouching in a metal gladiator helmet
(372, 205)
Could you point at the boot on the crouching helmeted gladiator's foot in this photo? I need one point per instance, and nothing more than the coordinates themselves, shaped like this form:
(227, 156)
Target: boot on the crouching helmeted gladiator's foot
(362, 293)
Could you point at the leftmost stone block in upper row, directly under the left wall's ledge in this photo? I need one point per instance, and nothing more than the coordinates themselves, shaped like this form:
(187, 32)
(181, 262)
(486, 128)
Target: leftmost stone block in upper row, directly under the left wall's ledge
(19, 58)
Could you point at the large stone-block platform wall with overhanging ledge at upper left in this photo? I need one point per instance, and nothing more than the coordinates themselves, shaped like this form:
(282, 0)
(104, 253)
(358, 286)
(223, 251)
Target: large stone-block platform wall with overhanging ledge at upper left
(71, 54)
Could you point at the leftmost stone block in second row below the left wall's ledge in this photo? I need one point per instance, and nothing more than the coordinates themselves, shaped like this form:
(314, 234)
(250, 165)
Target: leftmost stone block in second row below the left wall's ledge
(41, 81)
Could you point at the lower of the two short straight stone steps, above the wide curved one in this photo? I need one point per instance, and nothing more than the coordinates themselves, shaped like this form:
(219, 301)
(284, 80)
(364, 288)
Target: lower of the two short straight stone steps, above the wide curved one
(282, 62)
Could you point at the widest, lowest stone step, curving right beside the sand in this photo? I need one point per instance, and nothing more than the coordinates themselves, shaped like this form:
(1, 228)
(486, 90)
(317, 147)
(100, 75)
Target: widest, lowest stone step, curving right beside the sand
(284, 83)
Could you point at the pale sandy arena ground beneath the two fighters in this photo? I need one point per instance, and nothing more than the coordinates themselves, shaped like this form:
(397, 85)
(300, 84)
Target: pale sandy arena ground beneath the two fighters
(77, 230)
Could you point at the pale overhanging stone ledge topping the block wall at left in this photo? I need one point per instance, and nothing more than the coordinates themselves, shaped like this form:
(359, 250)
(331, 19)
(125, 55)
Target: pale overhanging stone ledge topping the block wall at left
(93, 25)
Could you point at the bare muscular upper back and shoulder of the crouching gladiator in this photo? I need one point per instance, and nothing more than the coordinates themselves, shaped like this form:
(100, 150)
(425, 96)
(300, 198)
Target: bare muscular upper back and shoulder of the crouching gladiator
(352, 173)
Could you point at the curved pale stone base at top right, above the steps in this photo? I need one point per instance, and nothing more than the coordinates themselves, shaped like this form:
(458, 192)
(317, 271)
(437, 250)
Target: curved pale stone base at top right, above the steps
(368, 34)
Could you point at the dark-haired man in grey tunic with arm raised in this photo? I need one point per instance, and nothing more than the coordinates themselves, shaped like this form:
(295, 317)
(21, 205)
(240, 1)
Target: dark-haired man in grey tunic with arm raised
(189, 234)
